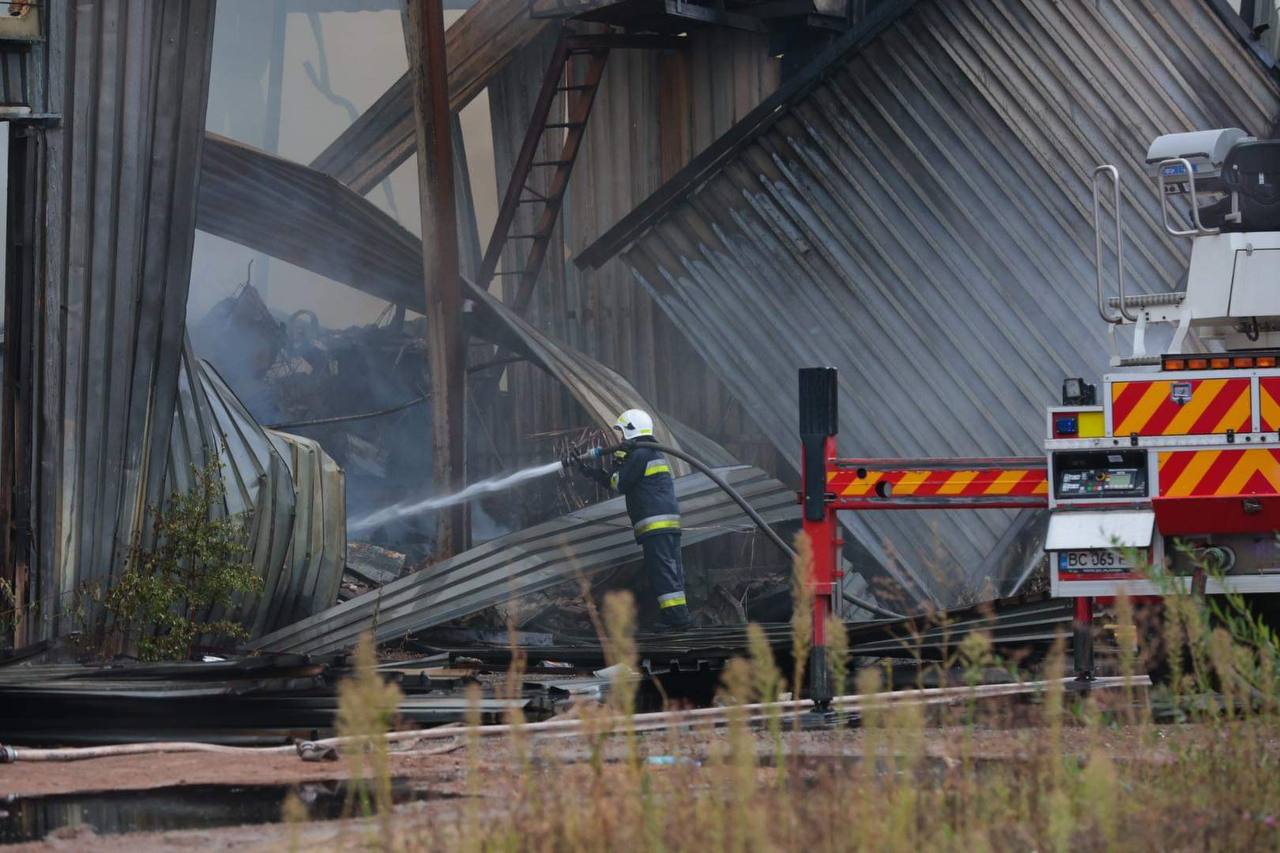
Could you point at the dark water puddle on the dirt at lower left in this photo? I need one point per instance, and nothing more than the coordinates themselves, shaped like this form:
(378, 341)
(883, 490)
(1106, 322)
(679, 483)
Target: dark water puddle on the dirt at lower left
(112, 813)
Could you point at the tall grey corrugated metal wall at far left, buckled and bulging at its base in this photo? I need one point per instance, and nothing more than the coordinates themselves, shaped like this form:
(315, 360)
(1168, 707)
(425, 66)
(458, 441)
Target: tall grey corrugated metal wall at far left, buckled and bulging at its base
(108, 410)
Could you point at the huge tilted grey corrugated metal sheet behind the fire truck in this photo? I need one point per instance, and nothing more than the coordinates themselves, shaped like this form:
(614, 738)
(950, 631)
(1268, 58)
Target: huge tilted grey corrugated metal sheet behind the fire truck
(916, 211)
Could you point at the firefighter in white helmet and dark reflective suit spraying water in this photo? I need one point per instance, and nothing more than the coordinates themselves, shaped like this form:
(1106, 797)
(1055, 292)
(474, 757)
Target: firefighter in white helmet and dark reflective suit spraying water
(644, 477)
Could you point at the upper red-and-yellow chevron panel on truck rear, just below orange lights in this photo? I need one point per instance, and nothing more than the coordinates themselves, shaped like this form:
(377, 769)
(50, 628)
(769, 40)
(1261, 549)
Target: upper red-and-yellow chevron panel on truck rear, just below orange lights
(1150, 409)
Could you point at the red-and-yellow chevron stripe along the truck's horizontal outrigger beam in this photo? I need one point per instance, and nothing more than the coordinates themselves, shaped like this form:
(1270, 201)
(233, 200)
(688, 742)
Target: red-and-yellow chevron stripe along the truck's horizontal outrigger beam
(939, 483)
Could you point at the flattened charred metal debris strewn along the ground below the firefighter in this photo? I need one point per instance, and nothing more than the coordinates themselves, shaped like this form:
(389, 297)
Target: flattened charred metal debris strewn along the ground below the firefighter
(280, 699)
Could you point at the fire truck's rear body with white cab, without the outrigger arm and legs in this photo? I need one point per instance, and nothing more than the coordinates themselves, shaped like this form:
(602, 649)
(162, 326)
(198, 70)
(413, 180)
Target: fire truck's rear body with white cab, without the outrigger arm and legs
(1178, 459)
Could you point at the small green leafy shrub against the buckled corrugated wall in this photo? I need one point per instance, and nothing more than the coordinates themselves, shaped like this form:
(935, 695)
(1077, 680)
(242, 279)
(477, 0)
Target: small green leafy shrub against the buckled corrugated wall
(195, 562)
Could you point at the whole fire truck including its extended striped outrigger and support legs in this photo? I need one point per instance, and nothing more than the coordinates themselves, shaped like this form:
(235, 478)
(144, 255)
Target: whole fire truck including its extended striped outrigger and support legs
(1173, 459)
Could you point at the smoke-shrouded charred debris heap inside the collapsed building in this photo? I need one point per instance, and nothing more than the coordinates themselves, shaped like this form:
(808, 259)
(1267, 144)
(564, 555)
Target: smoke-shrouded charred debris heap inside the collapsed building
(360, 393)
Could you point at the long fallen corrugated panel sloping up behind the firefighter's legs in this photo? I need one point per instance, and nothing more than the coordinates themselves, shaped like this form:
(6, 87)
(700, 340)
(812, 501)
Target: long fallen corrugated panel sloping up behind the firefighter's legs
(587, 542)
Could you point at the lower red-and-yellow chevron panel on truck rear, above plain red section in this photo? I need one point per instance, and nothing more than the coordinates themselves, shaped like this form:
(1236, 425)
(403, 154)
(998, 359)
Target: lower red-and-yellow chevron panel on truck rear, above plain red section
(1222, 473)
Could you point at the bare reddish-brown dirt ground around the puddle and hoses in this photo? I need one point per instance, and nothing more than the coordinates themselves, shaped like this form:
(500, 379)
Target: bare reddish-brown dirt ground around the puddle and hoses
(445, 776)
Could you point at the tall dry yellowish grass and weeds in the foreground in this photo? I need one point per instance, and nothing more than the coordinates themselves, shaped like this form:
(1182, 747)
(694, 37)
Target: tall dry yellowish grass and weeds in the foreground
(897, 784)
